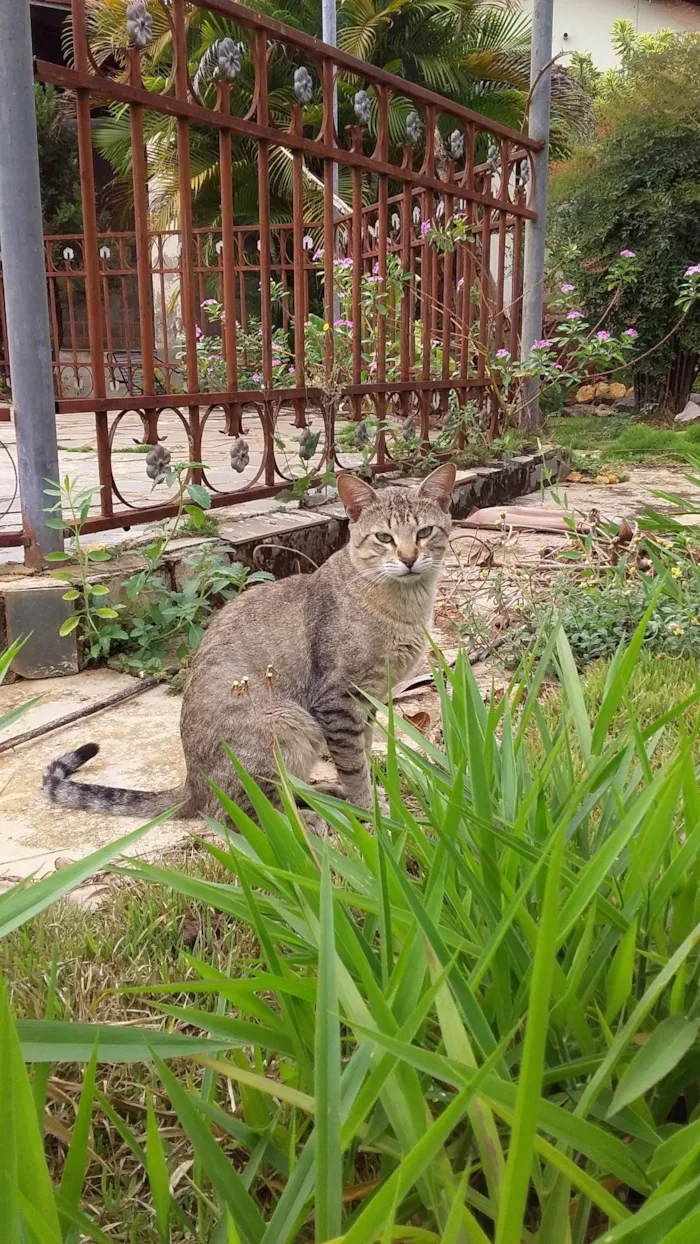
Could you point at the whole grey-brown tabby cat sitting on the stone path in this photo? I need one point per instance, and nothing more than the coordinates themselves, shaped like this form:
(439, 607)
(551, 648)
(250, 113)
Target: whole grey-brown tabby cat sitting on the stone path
(287, 664)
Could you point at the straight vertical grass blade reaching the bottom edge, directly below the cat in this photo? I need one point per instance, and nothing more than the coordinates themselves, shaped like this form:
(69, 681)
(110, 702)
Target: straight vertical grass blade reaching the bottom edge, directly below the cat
(328, 1077)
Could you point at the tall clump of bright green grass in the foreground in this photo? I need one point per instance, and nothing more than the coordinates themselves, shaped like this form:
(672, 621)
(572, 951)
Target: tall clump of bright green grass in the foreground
(471, 1018)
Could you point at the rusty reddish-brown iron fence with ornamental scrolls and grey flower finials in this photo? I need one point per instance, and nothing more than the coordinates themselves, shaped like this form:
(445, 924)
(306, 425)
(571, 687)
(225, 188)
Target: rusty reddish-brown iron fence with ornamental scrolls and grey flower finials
(228, 343)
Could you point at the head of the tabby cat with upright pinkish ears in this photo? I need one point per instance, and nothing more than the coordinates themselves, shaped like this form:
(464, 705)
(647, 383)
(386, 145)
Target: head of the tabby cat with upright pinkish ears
(400, 533)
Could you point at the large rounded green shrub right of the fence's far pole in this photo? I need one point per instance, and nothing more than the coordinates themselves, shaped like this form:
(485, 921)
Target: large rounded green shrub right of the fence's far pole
(637, 186)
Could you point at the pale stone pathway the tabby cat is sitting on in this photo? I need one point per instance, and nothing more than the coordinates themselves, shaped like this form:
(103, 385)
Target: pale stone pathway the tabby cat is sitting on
(140, 740)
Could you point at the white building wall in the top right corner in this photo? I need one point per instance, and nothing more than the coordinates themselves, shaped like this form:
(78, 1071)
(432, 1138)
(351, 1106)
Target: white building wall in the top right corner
(586, 26)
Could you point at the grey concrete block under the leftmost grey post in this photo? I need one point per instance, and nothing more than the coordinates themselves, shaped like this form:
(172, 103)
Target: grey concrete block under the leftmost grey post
(35, 610)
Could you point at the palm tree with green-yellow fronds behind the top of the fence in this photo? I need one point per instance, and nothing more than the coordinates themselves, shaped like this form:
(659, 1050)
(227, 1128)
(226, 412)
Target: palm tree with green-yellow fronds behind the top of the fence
(468, 50)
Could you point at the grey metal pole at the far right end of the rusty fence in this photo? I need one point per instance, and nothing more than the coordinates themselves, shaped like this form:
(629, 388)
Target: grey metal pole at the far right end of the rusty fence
(537, 231)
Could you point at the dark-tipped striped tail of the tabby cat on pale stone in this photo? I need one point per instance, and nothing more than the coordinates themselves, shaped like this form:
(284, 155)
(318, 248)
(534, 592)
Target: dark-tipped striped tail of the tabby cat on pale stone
(105, 799)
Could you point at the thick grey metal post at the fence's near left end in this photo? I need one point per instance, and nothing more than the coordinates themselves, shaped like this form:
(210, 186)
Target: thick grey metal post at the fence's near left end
(24, 274)
